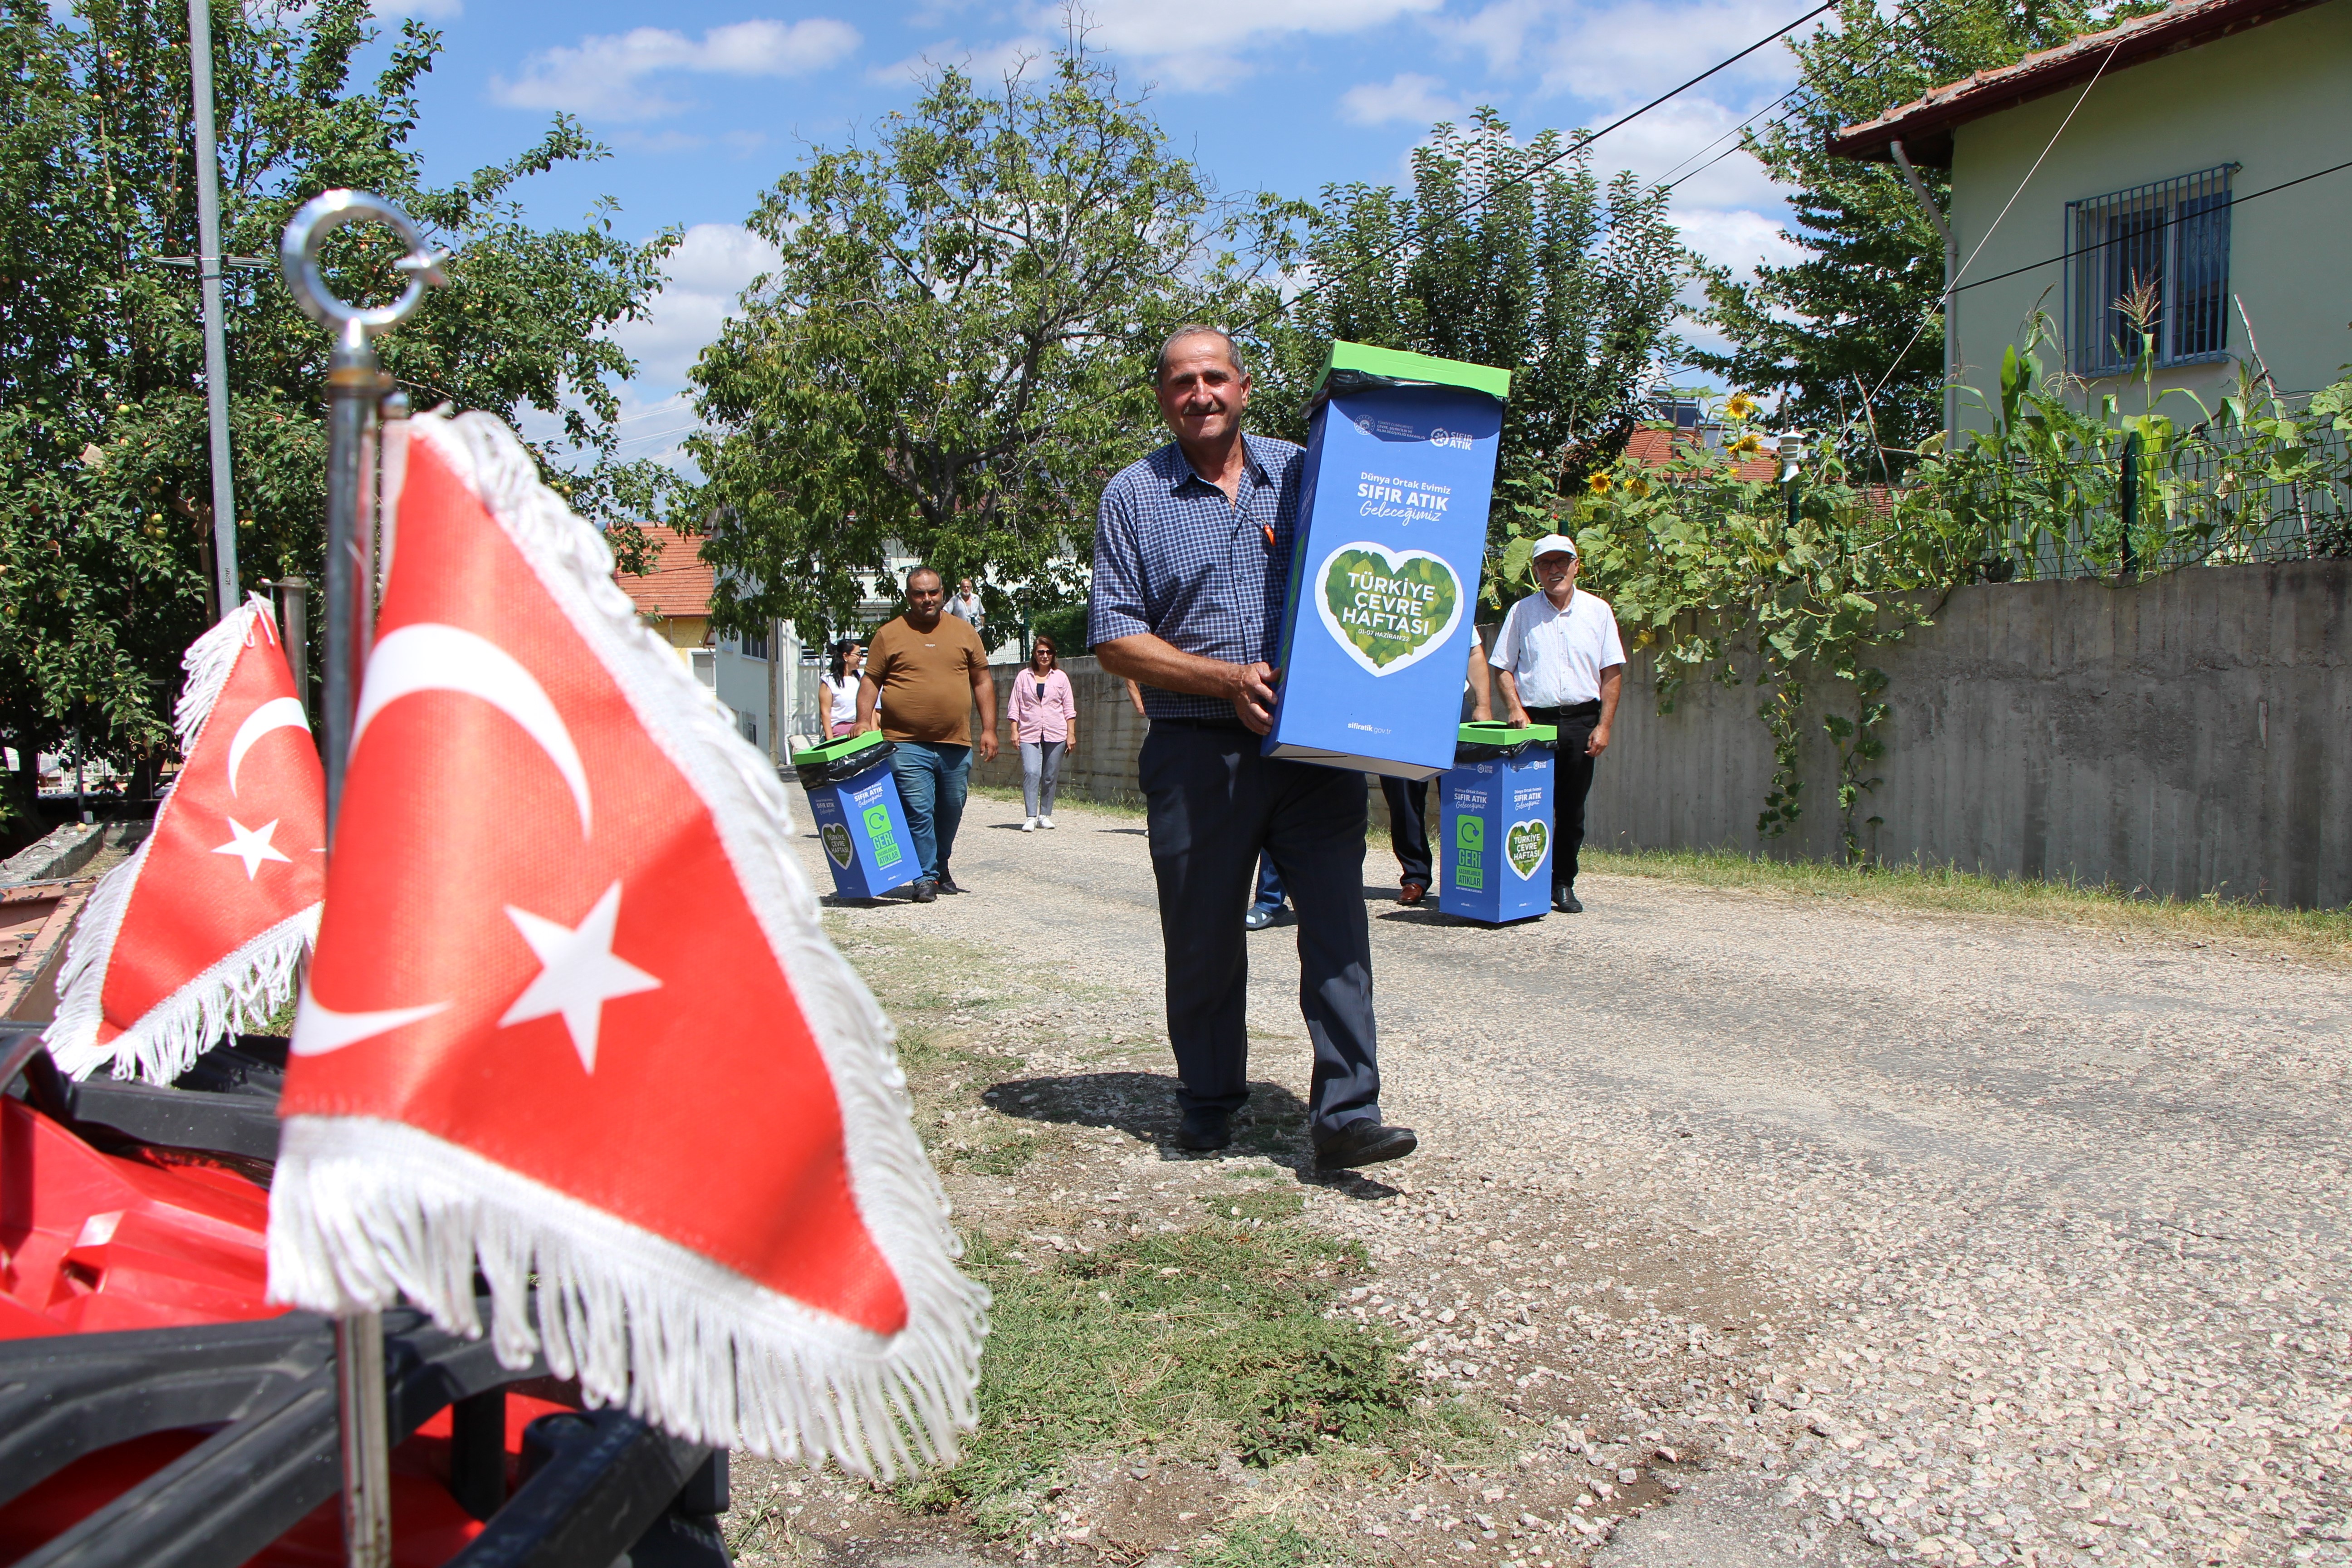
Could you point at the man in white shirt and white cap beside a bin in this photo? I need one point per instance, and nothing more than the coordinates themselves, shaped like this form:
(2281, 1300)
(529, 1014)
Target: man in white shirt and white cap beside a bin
(1561, 662)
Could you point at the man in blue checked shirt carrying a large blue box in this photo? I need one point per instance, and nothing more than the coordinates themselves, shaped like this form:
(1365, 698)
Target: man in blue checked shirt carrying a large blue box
(1191, 563)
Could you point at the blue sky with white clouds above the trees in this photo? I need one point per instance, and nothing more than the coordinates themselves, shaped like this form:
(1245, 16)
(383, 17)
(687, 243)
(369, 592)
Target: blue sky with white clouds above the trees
(707, 102)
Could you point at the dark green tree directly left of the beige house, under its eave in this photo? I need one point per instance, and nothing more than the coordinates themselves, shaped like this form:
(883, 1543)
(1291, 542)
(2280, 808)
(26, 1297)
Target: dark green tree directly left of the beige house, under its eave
(1864, 304)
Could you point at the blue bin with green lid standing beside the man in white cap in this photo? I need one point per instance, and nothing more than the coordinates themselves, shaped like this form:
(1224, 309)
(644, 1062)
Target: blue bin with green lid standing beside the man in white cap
(1497, 824)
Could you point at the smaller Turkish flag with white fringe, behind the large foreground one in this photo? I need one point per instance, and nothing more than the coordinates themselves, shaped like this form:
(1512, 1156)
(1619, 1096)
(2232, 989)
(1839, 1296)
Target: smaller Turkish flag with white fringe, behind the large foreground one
(203, 930)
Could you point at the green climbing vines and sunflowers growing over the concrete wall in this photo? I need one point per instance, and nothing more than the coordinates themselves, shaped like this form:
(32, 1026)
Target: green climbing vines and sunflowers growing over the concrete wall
(1791, 589)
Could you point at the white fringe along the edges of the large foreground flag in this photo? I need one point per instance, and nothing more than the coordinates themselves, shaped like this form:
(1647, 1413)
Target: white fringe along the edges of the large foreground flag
(368, 1212)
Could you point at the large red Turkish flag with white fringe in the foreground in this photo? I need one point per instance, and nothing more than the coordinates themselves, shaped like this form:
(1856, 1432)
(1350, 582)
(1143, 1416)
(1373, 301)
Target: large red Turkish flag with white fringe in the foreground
(573, 1017)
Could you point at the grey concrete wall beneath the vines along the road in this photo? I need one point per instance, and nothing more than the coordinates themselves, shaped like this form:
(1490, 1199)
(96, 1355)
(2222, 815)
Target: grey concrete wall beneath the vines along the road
(2189, 735)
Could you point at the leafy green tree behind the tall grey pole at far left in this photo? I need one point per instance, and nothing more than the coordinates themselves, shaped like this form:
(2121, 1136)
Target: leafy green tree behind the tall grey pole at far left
(105, 471)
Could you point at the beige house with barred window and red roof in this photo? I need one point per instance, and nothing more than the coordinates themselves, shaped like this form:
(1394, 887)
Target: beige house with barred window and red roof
(2191, 156)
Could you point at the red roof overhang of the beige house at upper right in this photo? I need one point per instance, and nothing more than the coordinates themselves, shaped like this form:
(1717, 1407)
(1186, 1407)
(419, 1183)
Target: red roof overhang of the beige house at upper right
(1925, 126)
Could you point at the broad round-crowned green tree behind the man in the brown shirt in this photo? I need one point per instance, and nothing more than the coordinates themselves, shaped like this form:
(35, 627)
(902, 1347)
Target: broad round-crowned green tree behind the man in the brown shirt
(951, 351)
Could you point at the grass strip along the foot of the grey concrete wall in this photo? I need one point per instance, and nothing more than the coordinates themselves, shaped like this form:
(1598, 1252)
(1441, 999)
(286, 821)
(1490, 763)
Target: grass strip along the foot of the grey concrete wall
(2214, 920)
